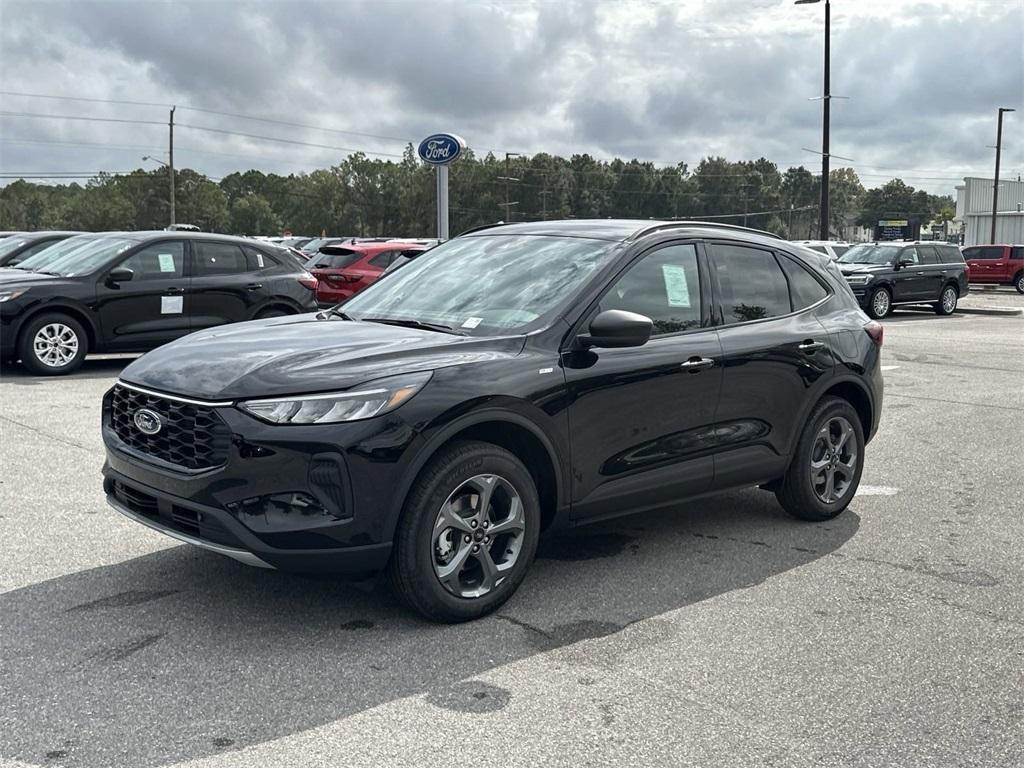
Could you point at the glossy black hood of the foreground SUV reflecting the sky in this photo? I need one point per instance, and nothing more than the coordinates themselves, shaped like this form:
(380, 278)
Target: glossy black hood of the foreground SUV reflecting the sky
(301, 354)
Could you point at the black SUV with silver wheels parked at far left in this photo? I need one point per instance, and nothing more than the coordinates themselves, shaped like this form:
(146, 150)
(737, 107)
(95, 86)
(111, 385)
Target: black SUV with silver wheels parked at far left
(131, 292)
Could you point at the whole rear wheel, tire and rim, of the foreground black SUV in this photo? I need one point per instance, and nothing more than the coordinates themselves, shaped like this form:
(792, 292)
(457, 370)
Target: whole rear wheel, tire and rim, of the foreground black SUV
(826, 470)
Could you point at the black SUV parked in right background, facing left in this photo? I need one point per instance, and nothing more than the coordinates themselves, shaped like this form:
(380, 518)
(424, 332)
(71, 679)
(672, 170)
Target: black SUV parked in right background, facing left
(883, 275)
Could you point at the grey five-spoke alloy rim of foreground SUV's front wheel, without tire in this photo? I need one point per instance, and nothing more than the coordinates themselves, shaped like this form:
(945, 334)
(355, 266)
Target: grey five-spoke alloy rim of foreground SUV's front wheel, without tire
(478, 536)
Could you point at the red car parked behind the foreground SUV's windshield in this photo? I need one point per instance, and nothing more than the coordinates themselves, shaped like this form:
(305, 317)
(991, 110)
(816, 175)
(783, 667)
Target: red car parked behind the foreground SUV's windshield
(344, 271)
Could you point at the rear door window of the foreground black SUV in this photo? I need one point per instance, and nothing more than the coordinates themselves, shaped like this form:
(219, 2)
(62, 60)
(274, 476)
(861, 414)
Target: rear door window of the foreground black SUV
(753, 285)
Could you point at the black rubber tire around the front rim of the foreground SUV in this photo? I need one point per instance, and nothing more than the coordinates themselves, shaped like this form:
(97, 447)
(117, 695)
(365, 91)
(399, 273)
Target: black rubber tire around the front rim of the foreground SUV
(416, 553)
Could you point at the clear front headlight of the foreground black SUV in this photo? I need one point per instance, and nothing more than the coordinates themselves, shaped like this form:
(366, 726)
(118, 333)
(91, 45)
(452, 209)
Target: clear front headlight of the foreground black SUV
(366, 402)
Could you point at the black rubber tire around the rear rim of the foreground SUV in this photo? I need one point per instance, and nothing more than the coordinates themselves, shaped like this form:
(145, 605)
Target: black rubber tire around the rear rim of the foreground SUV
(797, 493)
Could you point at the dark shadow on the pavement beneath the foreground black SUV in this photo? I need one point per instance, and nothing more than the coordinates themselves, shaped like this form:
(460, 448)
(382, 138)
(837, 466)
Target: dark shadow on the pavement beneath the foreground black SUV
(181, 655)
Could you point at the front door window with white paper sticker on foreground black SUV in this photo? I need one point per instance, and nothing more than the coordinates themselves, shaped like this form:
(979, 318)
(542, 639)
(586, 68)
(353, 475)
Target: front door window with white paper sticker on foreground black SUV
(664, 286)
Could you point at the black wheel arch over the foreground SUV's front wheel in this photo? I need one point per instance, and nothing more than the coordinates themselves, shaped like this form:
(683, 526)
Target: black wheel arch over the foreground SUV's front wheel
(511, 431)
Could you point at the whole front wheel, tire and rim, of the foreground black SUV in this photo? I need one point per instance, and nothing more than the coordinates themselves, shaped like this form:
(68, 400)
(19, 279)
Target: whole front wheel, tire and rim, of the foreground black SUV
(468, 533)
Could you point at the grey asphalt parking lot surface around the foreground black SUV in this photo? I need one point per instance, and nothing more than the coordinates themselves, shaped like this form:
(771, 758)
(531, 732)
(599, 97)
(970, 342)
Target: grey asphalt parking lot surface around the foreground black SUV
(715, 634)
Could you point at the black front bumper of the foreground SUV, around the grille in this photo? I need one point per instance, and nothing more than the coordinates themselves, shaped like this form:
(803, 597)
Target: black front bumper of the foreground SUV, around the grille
(317, 498)
